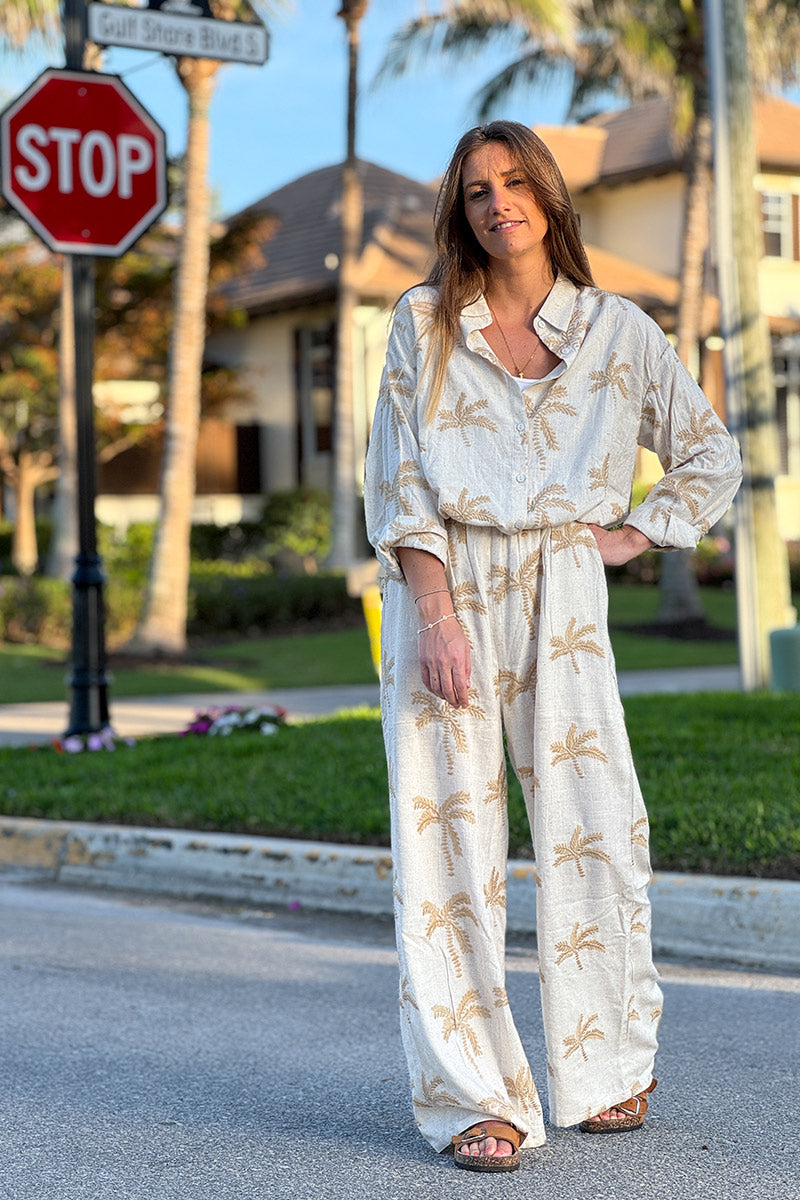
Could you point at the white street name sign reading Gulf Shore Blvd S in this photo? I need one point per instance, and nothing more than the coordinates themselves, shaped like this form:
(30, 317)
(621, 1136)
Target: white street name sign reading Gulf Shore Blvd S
(178, 33)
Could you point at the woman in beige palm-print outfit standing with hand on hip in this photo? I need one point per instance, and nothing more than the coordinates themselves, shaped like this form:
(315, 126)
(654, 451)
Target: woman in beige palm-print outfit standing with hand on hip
(504, 446)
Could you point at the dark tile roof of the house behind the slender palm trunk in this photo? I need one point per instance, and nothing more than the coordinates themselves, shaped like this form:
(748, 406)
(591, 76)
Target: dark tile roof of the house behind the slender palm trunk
(303, 255)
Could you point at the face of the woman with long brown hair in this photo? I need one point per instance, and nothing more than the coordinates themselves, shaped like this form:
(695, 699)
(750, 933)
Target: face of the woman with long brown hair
(501, 209)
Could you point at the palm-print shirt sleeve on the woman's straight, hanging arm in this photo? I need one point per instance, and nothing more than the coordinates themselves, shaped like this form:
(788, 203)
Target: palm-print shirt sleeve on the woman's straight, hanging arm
(400, 506)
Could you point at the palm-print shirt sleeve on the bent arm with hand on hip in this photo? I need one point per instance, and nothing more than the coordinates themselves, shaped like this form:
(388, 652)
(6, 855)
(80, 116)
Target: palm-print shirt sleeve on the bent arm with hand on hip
(701, 460)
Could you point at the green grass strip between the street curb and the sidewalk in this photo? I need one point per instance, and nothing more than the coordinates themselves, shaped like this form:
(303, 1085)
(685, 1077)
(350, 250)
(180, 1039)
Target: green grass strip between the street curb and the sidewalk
(719, 772)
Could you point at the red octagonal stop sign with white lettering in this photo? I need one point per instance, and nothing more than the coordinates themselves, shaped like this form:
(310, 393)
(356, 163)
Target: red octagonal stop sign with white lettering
(83, 163)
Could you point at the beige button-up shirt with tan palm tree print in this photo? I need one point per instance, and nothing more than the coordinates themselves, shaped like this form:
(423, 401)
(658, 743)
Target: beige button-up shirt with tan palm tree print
(554, 451)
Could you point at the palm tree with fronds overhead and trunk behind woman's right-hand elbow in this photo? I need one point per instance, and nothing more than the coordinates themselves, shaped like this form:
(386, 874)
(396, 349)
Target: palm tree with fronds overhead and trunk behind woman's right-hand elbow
(636, 50)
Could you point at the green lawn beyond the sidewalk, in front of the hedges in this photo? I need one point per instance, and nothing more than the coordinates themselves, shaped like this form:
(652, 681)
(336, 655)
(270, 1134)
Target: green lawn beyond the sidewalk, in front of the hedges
(309, 659)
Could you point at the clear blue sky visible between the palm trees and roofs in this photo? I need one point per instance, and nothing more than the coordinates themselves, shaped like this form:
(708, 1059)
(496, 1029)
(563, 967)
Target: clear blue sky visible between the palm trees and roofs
(272, 124)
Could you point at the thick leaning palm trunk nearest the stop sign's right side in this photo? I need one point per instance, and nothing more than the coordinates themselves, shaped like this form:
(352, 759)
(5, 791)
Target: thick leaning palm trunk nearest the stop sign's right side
(164, 623)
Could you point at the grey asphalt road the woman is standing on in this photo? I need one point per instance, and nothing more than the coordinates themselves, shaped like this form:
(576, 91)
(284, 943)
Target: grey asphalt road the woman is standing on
(161, 1052)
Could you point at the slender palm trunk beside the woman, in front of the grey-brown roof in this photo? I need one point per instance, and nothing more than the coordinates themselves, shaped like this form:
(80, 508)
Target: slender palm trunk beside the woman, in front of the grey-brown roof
(345, 549)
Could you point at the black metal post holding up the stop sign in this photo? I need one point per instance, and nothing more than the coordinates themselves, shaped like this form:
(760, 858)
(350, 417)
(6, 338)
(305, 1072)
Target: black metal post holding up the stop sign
(88, 680)
